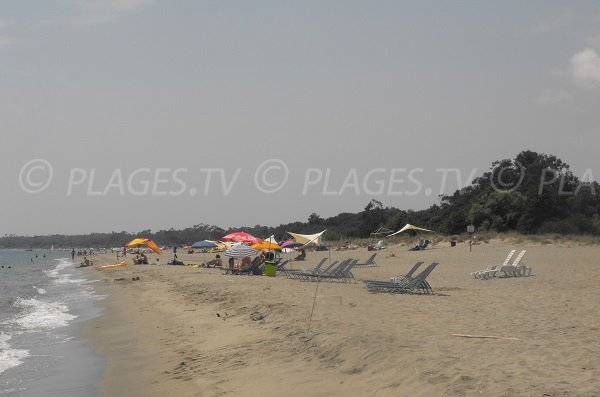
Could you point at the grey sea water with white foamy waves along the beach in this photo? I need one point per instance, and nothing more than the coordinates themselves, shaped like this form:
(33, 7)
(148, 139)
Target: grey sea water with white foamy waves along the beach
(44, 303)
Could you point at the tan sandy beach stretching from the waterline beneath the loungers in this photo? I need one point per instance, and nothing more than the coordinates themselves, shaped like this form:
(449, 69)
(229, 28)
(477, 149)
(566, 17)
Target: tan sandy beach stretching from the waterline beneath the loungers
(185, 331)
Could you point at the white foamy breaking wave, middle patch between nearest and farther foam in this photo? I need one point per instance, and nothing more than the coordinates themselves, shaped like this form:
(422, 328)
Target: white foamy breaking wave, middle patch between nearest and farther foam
(44, 315)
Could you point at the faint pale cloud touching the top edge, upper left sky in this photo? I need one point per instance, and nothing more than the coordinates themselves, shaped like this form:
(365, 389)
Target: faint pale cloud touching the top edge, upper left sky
(94, 12)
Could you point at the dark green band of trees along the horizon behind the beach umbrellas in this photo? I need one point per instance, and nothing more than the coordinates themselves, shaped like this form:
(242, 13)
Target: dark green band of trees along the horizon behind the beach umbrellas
(533, 193)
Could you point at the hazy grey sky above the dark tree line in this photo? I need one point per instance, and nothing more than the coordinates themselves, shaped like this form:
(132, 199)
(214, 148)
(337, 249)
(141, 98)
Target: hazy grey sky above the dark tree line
(146, 114)
